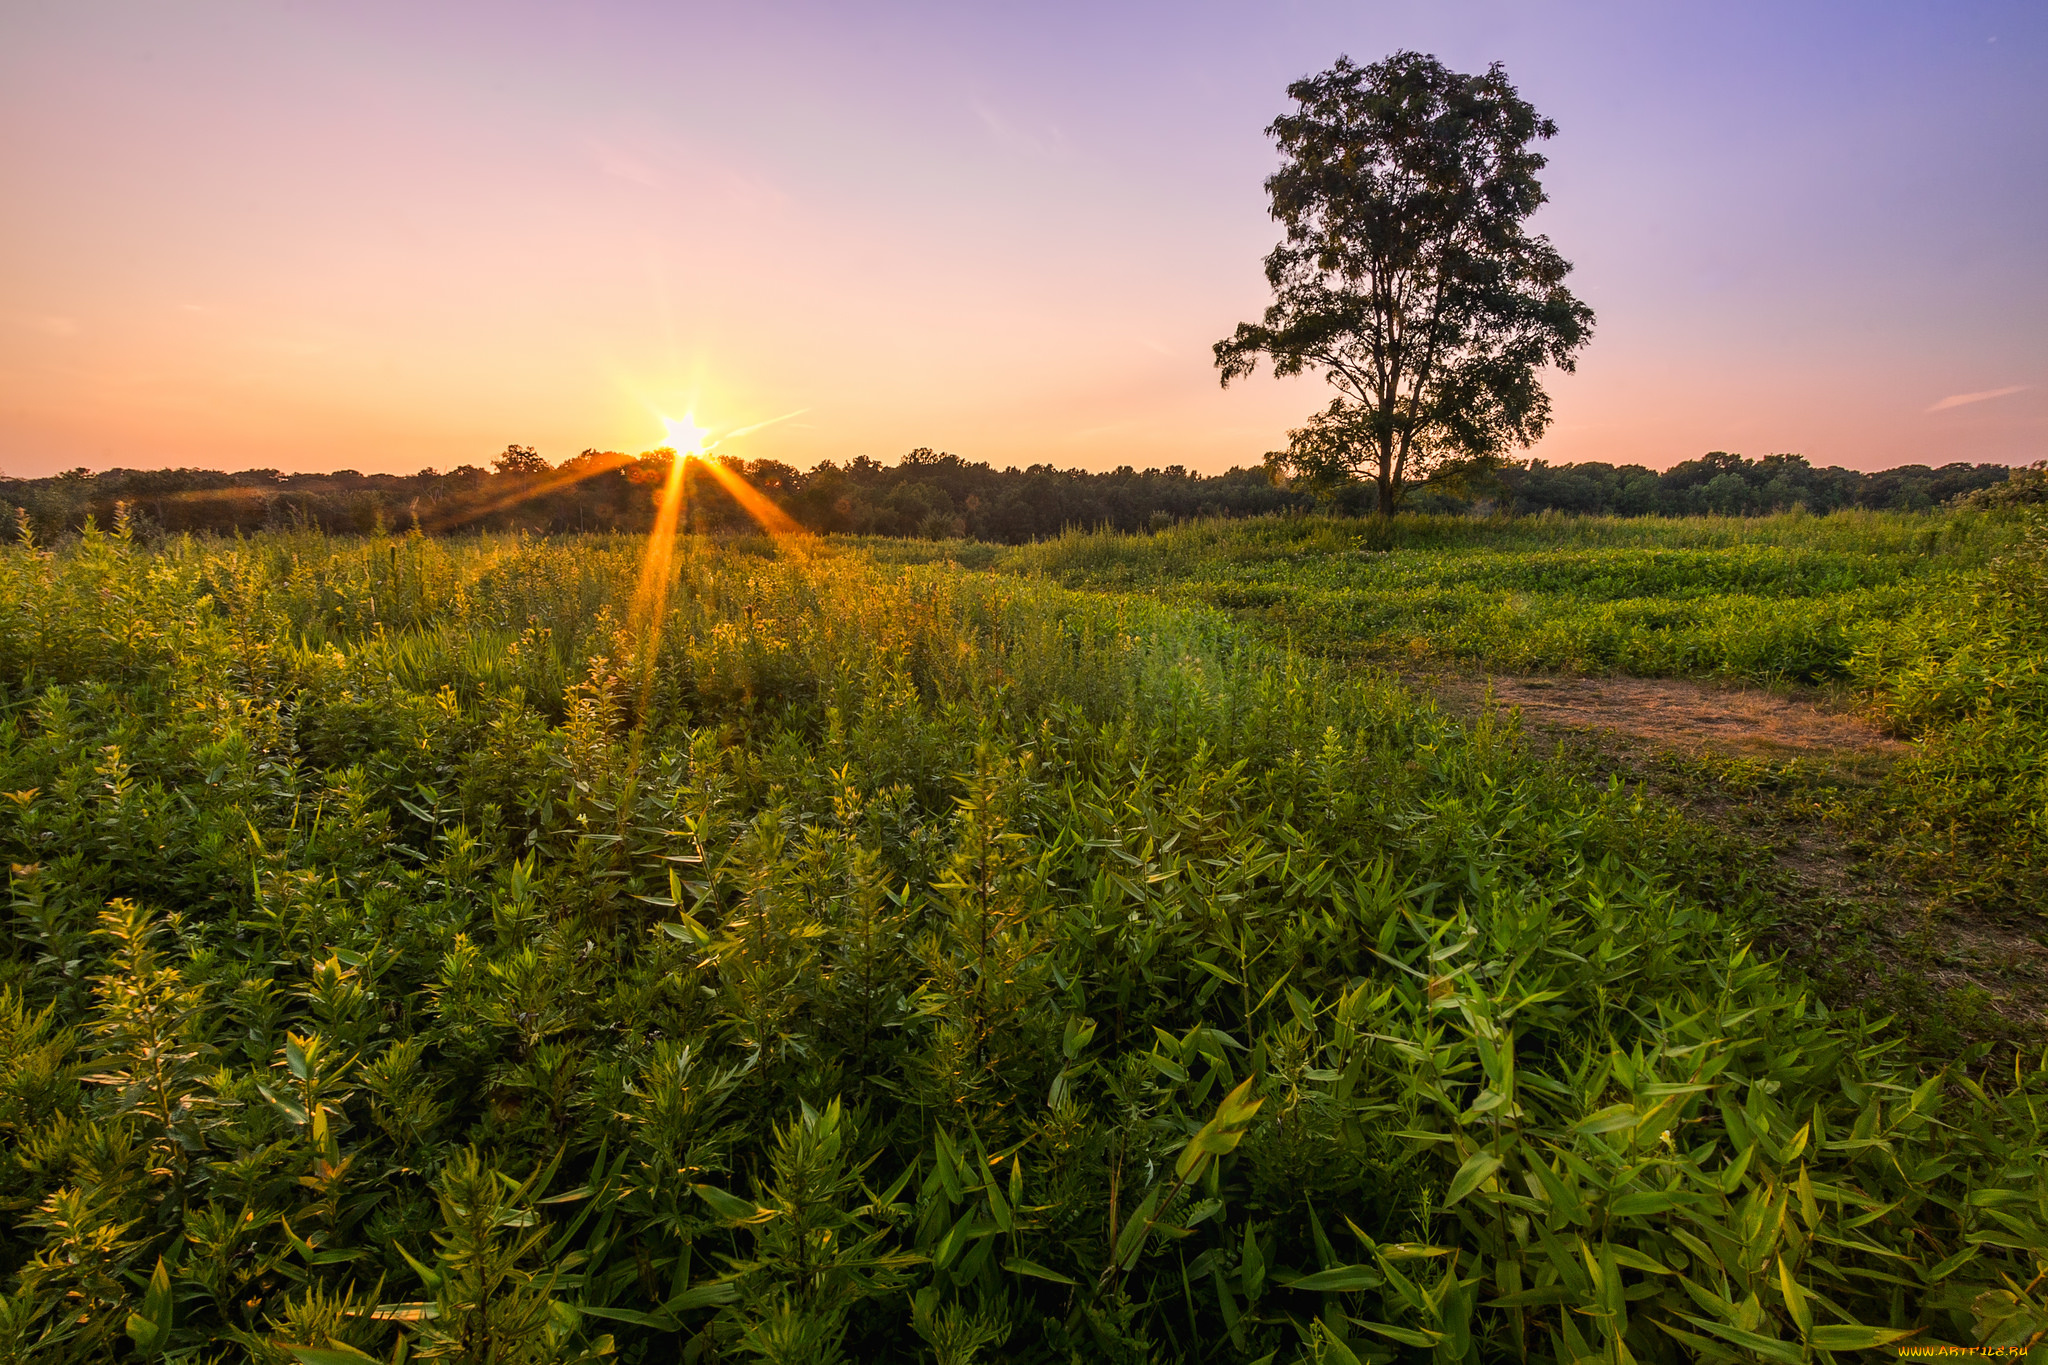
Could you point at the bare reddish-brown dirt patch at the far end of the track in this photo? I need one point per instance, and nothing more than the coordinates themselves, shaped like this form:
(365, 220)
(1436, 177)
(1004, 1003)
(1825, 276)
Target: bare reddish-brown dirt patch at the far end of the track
(1672, 713)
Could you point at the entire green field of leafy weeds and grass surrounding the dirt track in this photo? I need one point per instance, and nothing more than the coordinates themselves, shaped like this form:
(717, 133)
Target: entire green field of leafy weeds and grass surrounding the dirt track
(462, 949)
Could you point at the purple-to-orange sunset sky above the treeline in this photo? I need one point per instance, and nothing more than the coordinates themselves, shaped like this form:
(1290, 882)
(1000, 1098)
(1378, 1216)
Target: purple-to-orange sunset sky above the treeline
(396, 236)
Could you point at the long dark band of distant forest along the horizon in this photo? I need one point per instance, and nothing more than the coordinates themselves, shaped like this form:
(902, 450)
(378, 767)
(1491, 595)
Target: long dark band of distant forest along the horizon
(927, 494)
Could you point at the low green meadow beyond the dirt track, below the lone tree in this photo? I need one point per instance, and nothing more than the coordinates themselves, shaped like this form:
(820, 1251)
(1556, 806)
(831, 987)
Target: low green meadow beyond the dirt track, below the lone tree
(1934, 625)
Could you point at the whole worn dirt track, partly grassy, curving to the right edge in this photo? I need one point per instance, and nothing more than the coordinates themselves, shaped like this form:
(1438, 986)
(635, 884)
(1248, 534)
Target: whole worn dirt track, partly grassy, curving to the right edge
(1848, 922)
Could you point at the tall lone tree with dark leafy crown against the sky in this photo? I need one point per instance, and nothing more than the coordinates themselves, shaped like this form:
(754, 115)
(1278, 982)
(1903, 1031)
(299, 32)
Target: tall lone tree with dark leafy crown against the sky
(1408, 275)
